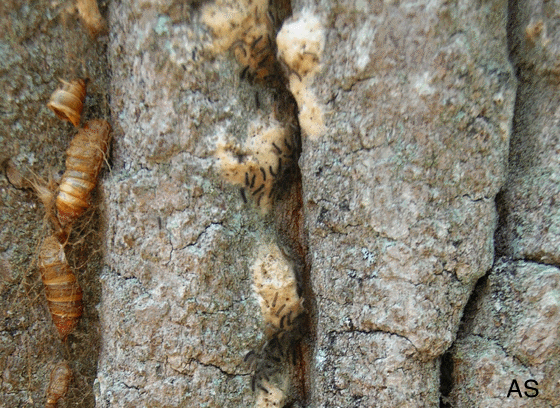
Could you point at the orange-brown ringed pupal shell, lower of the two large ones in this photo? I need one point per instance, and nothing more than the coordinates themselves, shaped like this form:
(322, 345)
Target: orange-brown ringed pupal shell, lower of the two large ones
(64, 295)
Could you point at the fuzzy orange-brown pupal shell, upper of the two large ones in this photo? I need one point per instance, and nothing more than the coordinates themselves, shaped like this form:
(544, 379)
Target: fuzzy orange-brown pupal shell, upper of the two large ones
(84, 160)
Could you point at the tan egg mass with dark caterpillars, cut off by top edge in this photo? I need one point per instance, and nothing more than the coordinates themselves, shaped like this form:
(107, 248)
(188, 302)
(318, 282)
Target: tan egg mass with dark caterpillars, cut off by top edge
(248, 28)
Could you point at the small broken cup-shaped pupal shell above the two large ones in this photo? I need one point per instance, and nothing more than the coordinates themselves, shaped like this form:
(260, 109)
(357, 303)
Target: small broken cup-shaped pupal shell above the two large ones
(67, 102)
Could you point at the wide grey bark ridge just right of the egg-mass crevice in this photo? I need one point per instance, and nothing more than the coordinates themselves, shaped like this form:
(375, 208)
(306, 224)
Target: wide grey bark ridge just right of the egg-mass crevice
(399, 192)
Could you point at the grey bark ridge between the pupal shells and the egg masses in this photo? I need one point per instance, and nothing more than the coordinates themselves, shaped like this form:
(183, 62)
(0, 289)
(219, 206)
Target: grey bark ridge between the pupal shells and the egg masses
(176, 312)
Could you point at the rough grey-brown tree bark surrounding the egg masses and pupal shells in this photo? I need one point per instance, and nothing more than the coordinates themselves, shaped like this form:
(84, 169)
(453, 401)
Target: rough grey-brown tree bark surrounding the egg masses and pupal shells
(436, 168)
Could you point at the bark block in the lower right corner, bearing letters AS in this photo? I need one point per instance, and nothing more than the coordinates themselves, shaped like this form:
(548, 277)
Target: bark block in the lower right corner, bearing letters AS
(511, 333)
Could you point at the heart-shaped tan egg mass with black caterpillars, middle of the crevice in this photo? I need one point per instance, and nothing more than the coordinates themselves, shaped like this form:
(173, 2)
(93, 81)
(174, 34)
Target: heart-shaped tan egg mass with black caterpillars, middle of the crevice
(265, 164)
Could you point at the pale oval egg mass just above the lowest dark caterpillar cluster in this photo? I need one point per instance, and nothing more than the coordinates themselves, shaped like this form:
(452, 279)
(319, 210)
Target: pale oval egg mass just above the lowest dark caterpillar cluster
(275, 285)
